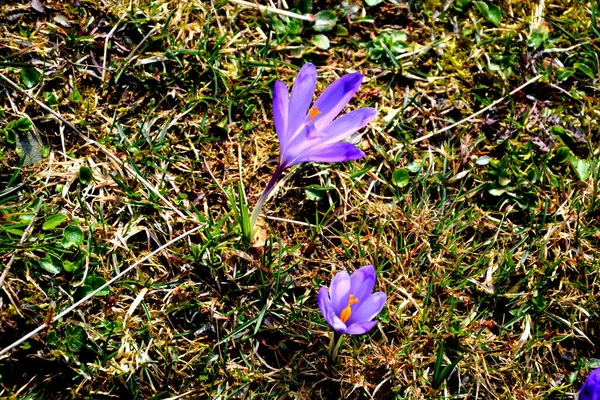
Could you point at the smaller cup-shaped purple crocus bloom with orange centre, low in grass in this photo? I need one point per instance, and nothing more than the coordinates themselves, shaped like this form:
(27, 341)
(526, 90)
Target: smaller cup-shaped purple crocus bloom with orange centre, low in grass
(348, 306)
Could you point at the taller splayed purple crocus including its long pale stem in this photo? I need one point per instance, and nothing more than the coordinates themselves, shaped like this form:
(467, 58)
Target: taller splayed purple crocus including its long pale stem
(313, 133)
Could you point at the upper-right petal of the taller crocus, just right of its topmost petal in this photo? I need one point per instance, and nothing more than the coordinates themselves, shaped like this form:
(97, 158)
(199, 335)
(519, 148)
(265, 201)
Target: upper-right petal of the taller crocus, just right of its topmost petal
(333, 99)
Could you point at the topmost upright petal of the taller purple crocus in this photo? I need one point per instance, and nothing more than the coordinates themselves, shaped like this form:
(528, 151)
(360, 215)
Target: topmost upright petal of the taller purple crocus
(302, 94)
